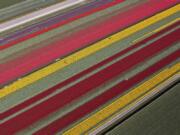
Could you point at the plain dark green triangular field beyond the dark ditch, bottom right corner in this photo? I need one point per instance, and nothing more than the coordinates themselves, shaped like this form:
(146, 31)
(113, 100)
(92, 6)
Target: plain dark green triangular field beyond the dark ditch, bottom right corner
(161, 117)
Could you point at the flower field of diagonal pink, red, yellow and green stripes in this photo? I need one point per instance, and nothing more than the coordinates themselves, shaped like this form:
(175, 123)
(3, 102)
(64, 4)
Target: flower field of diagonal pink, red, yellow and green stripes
(85, 68)
